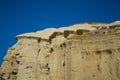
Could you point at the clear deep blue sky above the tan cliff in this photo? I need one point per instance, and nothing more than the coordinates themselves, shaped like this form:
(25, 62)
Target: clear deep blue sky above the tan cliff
(21, 16)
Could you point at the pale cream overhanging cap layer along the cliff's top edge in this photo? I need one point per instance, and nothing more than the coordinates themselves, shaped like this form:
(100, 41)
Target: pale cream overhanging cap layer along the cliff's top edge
(45, 34)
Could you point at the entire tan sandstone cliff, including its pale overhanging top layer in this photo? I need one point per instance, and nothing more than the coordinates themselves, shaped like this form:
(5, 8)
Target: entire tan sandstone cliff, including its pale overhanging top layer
(87, 51)
